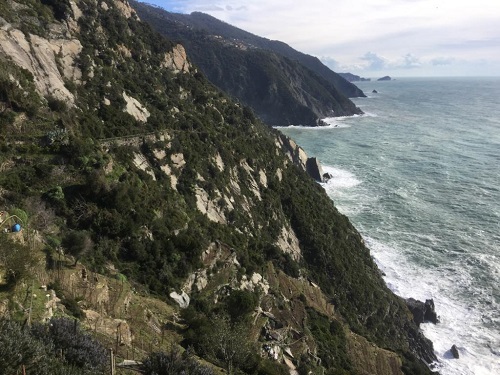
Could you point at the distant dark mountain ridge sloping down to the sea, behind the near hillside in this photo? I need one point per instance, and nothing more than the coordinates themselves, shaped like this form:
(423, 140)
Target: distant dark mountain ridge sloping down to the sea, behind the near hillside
(283, 86)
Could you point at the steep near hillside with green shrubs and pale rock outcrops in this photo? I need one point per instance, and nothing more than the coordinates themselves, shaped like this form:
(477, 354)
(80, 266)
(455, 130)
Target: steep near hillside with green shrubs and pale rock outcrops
(166, 220)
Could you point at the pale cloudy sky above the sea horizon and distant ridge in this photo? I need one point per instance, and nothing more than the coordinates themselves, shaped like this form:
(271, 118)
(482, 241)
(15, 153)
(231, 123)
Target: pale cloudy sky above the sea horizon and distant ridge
(372, 38)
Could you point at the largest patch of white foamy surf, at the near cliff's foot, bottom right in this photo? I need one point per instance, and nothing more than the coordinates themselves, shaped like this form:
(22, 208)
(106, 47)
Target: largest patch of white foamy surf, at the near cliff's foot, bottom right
(459, 324)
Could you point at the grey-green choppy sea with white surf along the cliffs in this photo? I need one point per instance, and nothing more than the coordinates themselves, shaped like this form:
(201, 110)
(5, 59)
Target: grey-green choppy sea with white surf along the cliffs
(419, 176)
